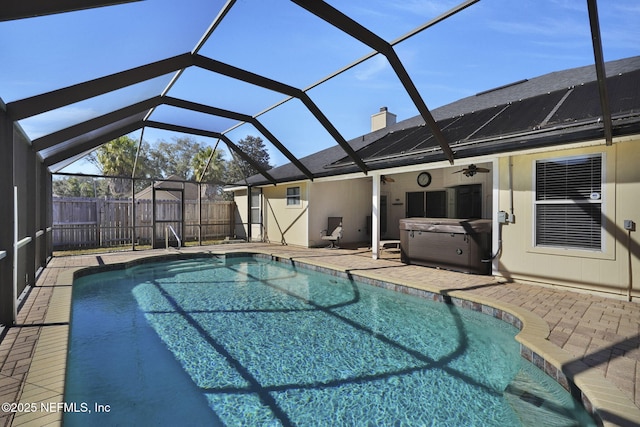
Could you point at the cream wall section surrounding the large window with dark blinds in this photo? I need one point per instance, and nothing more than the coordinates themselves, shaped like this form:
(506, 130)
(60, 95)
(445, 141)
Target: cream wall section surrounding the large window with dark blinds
(609, 270)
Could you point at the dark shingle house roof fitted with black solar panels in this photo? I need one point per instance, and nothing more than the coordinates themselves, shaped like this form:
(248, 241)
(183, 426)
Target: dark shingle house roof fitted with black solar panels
(555, 108)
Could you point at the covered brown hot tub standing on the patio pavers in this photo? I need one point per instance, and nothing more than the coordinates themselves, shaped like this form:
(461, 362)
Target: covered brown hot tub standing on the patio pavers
(454, 244)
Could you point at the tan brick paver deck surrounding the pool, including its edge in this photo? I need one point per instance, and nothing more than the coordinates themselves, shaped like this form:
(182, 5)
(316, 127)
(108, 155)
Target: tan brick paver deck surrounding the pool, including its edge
(595, 338)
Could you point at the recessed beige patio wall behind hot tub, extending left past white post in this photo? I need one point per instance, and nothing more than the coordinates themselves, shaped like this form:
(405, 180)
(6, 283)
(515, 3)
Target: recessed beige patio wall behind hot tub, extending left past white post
(350, 199)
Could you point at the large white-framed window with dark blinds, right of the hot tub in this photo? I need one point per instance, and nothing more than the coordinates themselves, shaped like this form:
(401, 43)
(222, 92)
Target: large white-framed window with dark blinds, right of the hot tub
(568, 202)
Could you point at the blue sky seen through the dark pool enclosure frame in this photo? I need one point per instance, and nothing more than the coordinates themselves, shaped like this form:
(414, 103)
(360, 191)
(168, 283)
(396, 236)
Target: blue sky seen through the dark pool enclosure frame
(491, 43)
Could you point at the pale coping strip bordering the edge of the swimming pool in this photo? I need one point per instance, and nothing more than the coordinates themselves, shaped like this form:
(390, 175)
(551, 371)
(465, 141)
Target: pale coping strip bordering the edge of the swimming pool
(603, 400)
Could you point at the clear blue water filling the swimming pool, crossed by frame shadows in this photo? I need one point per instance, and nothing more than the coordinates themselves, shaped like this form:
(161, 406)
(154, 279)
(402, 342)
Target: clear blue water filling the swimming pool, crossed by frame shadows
(243, 341)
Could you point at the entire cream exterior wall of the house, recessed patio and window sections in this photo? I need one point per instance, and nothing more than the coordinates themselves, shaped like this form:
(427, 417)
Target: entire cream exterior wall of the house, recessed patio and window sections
(611, 269)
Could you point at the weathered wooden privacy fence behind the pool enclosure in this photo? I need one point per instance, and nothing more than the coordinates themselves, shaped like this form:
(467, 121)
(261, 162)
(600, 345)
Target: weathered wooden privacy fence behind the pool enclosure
(94, 222)
